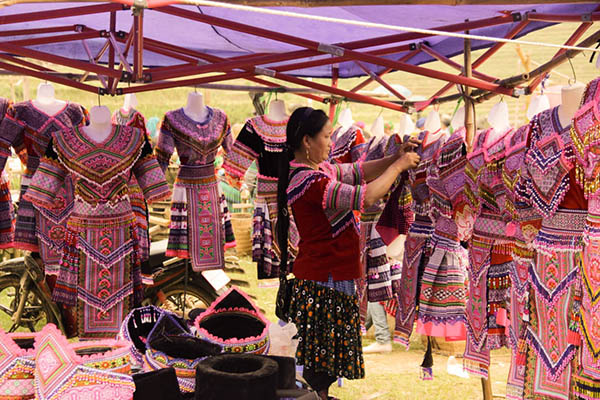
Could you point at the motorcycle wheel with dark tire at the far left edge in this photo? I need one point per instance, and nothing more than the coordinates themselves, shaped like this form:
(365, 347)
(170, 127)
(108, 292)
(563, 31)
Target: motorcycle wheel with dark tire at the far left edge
(9, 303)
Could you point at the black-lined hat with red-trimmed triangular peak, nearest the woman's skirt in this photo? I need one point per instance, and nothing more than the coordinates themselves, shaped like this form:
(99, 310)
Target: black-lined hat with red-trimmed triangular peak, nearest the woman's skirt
(234, 322)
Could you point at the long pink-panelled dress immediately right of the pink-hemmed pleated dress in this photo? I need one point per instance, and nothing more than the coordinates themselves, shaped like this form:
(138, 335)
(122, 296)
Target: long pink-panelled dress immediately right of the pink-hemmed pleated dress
(489, 251)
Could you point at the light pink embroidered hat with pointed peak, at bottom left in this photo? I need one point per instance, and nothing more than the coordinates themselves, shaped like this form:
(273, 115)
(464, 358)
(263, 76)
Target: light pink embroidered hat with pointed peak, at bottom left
(61, 367)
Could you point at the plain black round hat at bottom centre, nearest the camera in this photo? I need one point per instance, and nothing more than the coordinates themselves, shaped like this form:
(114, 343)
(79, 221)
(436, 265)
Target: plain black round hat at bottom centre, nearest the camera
(236, 376)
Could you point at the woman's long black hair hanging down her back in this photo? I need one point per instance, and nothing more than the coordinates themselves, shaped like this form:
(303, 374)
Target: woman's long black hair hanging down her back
(303, 121)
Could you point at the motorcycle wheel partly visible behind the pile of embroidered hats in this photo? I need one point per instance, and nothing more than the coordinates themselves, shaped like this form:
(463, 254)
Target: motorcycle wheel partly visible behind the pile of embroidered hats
(196, 297)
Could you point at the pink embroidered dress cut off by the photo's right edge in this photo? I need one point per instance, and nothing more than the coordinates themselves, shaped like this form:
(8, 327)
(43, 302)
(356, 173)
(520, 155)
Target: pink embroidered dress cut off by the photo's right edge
(585, 133)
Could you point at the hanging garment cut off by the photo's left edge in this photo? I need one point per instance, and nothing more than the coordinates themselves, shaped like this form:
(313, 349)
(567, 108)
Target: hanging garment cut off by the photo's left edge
(7, 217)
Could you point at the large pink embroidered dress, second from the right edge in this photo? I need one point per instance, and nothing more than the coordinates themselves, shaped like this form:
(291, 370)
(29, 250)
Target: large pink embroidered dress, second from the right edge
(550, 187)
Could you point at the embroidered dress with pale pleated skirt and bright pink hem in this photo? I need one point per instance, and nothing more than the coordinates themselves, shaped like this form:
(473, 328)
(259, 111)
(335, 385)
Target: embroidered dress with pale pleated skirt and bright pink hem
(443, 290)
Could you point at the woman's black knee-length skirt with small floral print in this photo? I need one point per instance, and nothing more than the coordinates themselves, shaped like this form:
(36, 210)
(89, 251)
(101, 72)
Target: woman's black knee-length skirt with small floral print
(327, 317)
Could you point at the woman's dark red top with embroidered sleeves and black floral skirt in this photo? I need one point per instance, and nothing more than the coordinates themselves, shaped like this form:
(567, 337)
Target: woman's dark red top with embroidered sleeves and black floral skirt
(324, 306)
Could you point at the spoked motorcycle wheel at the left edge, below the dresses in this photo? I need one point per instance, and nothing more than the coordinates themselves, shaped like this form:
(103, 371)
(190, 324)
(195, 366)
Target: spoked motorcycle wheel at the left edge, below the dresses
(36, 313)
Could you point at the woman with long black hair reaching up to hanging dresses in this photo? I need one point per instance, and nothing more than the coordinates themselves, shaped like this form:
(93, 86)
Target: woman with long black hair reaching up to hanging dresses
(324, 305)
